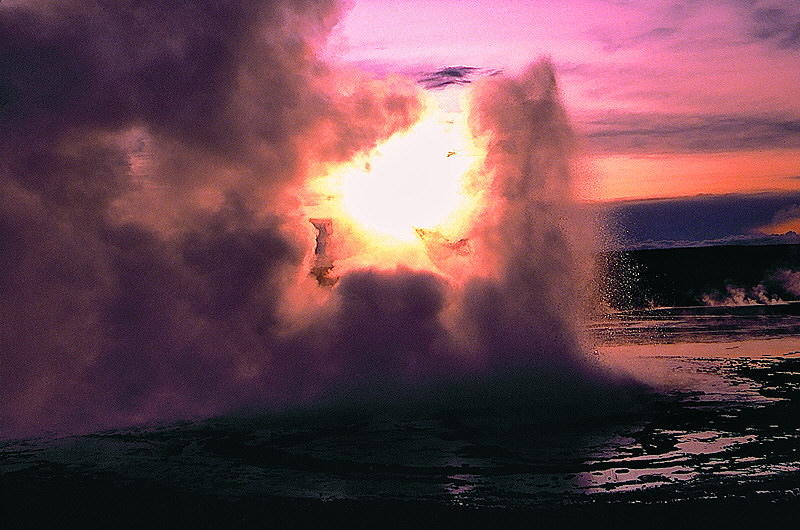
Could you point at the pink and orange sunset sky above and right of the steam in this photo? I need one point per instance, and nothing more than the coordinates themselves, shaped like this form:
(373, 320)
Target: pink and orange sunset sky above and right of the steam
(673, 98)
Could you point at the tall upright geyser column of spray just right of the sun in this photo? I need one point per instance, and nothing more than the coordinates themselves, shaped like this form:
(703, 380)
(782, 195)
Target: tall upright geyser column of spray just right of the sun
(531, 239)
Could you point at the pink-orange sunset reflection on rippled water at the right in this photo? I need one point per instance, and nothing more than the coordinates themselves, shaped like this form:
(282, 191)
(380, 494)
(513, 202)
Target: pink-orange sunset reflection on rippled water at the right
(733, 423)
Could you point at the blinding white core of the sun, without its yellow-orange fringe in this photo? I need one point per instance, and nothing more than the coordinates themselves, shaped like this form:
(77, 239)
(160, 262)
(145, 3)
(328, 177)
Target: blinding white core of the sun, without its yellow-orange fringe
(411, 181)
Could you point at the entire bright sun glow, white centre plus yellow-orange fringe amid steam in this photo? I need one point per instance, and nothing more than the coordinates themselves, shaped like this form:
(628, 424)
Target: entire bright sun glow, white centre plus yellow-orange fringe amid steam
(415, 180)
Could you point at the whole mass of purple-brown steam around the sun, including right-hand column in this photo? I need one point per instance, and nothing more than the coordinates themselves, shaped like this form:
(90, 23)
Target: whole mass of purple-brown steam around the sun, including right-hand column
(155, 266)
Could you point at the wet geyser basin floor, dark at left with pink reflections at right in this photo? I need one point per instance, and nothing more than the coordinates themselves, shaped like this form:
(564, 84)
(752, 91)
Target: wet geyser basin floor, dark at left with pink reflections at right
(725, 436)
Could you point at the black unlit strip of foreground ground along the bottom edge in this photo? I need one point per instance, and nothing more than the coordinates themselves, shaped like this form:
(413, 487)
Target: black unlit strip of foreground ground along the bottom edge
(107, 505)
